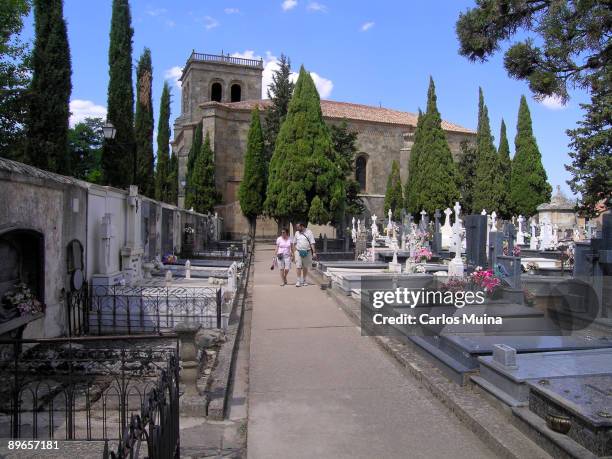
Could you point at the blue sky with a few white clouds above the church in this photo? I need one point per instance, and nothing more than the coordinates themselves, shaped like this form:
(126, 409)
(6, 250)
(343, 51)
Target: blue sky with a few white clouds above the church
(361, 51)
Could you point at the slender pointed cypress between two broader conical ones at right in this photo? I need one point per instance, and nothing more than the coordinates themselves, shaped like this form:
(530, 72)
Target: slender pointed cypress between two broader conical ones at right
(488, 190)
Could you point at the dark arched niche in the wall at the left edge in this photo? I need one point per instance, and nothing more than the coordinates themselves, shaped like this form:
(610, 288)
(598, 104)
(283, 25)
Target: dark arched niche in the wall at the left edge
(22, 255)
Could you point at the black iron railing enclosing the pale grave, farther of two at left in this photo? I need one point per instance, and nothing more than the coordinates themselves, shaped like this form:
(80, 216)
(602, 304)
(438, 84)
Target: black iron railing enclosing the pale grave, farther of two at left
(133, 310)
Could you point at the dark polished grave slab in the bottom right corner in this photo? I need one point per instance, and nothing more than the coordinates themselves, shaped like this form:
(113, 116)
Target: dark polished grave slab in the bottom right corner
(584, 401)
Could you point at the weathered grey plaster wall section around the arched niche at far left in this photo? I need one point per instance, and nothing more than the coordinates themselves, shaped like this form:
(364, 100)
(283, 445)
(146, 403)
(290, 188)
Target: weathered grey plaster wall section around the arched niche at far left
(55, 207)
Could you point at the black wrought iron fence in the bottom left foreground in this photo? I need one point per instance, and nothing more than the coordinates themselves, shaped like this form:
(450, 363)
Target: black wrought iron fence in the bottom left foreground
(92, 388)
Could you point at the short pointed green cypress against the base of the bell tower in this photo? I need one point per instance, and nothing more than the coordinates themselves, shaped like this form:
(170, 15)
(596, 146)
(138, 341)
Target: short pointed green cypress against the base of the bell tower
(203, 191)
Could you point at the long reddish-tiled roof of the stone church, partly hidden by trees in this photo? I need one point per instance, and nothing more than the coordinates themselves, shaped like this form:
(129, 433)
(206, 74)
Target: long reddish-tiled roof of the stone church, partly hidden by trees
(345, 110)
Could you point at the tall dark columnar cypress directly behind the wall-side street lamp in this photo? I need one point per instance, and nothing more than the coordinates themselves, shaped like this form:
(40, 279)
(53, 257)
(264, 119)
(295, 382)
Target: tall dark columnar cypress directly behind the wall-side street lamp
(118, 154)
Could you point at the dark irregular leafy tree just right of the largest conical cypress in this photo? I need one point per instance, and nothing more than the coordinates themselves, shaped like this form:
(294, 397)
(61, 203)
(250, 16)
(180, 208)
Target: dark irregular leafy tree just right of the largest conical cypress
(344, 143)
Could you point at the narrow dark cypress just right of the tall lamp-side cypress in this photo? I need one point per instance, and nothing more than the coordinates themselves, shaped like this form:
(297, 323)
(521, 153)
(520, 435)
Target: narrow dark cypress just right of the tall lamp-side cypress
(144, 125)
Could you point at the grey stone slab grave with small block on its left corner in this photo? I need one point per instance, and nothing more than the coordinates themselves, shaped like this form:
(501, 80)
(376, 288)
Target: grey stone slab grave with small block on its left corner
(510, 383)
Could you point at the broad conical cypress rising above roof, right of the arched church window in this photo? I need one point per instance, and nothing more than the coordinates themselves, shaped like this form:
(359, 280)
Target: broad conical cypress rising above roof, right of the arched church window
(437, 173)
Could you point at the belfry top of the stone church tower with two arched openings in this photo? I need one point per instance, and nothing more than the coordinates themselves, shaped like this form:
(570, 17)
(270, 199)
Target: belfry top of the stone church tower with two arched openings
(218, 78)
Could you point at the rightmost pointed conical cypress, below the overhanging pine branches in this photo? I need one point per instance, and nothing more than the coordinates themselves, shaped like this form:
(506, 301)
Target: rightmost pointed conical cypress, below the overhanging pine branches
(528, 183)
